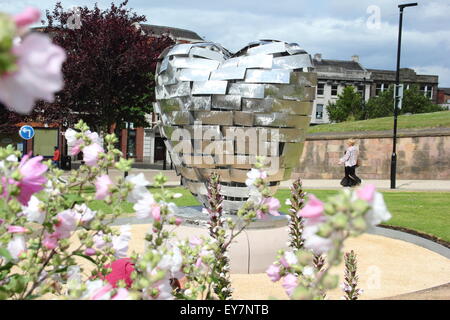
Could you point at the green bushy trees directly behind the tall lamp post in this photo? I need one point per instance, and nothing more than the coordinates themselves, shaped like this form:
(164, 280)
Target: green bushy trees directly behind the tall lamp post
(414, 101)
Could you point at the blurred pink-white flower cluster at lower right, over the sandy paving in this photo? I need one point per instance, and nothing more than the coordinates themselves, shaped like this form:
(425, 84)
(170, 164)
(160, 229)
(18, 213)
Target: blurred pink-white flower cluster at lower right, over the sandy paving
(326, 227)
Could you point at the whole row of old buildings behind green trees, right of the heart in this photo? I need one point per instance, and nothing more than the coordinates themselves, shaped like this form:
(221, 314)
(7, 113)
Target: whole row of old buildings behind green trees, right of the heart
(334, 75)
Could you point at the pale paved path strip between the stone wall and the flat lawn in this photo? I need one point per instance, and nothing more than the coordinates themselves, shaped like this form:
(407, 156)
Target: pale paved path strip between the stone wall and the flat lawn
(402, 185)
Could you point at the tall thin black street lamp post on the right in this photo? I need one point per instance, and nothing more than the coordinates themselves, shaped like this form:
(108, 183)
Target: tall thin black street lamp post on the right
(397, 98)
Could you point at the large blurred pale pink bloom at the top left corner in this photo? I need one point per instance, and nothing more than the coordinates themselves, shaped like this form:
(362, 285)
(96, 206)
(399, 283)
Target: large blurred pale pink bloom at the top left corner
(38, 74)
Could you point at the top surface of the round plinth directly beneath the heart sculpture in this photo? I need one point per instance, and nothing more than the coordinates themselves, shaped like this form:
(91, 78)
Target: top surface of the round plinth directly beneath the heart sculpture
(193, 216)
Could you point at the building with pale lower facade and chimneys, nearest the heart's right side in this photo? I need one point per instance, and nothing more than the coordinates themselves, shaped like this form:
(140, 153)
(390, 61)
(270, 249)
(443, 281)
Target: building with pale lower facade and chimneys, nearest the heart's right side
(332, 77)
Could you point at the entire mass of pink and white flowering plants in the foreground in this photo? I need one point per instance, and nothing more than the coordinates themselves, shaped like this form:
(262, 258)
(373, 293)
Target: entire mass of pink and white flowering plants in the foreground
(47, 224)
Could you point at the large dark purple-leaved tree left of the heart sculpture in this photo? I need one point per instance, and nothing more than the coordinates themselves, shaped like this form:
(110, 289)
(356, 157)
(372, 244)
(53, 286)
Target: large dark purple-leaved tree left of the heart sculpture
(109, 72)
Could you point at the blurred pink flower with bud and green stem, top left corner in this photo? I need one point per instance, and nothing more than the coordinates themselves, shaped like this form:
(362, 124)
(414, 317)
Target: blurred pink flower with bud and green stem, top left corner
(30, 65)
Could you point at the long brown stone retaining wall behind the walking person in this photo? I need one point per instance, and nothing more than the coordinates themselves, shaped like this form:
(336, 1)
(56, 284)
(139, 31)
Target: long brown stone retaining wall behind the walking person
(421, 154)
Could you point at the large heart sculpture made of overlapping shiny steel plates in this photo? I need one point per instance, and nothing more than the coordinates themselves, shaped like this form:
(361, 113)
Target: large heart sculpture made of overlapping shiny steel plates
(219, 111)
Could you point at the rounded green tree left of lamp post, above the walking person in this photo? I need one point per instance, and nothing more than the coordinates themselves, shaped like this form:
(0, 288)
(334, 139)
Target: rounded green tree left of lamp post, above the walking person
(348, 106)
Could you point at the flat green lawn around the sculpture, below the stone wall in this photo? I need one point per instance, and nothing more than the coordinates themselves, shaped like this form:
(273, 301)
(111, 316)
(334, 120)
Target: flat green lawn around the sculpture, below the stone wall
(426, 212)
